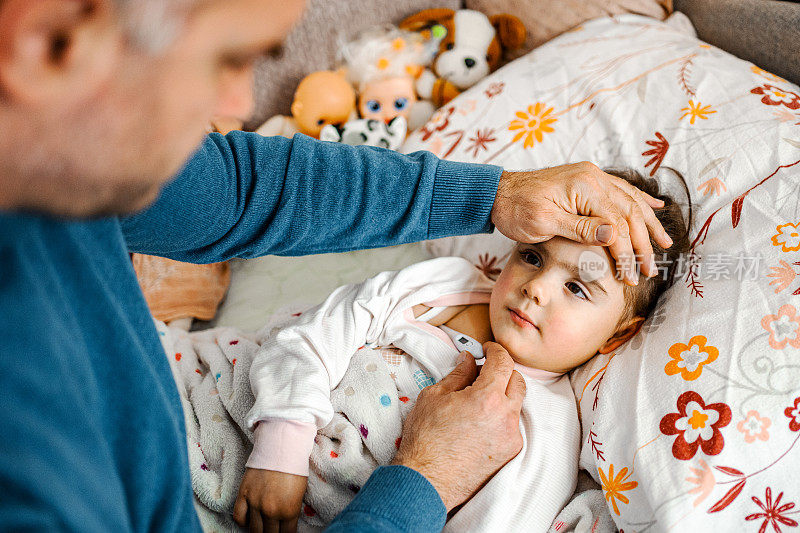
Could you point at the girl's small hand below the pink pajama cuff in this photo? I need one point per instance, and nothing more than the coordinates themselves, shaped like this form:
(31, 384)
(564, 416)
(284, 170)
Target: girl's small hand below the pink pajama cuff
(269, 501)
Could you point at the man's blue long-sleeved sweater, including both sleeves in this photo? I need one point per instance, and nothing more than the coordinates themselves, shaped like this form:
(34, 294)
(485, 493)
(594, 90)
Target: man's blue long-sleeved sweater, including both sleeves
(91, 427)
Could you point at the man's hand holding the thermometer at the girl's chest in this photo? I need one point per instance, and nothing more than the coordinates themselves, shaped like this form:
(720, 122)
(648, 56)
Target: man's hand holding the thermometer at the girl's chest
(463, 430)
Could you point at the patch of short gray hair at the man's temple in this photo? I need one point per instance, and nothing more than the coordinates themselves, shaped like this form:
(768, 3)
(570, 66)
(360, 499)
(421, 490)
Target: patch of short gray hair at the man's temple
(153, 24)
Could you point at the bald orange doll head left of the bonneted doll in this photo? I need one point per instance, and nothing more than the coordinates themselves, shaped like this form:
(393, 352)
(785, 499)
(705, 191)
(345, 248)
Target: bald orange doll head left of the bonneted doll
(322, 98)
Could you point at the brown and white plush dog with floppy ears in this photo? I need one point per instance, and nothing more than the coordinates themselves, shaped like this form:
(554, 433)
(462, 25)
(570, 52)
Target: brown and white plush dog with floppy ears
(471, 49)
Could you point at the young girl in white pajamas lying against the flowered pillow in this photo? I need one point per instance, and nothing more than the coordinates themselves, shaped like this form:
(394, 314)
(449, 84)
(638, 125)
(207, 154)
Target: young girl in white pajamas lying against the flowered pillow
(333, 389)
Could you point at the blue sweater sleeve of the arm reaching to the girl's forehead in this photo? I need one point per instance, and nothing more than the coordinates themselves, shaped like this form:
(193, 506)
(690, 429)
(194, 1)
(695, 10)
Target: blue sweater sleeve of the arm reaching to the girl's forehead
(244, 195)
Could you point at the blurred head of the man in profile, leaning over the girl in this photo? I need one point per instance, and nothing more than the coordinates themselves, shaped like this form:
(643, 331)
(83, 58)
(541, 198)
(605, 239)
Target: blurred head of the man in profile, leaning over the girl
(102, 101)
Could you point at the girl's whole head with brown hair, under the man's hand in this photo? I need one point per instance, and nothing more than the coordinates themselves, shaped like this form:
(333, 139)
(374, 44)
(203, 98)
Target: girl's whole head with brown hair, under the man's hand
(558, 303)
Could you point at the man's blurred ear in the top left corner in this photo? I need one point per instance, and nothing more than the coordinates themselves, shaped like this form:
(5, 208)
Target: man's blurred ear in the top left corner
(56, 51)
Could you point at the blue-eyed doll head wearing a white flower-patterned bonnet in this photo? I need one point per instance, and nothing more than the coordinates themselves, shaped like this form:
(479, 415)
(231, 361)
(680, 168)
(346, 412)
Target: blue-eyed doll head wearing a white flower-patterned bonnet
(383, 64)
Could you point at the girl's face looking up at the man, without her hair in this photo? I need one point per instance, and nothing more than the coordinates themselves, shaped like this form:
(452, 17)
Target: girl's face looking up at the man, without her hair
(556, 304)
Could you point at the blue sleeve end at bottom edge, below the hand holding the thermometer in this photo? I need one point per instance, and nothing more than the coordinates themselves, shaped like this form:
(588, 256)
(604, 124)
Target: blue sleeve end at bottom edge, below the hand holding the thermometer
(394, 499)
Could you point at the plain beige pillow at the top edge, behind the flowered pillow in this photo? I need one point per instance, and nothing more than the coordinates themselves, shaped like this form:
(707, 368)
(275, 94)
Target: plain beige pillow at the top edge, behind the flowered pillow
(545, 19)
